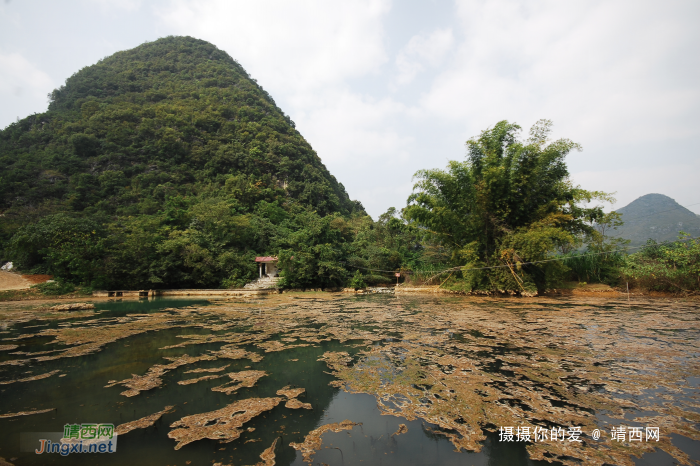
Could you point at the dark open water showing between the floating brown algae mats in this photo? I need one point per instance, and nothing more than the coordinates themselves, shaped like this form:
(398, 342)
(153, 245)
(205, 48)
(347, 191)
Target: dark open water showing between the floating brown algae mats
(78, 396)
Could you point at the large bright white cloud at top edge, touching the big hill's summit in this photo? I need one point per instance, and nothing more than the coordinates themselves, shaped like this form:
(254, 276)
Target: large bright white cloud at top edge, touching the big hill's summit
(289, 46)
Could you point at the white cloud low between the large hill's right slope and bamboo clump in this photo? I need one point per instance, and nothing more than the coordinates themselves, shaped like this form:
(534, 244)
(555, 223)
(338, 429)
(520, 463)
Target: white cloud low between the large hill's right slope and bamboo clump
(363, 144)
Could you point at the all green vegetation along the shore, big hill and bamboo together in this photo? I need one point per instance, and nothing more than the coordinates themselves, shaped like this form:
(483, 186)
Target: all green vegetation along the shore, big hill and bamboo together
(167, 166)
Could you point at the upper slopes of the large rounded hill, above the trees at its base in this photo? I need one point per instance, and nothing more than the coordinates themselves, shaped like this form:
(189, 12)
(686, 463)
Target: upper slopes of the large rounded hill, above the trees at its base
(174, 114)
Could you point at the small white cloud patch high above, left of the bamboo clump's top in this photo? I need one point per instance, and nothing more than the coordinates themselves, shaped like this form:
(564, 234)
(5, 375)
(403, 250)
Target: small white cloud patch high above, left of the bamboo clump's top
(420, 50)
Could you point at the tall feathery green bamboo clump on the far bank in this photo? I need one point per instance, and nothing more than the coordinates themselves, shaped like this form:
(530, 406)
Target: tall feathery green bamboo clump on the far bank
(510, 203)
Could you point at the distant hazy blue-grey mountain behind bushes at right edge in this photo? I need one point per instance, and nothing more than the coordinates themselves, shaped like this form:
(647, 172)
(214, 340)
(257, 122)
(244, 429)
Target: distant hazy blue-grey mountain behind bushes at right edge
(657, 217)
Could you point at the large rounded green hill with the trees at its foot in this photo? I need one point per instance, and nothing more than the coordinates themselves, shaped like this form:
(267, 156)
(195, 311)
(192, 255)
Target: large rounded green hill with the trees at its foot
(164, 165)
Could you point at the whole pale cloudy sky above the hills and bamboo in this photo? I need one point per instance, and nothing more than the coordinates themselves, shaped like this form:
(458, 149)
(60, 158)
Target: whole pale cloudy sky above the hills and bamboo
(381, 89)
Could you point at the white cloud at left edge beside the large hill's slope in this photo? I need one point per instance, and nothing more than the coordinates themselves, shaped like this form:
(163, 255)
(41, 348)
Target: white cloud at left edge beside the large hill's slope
(22, 84)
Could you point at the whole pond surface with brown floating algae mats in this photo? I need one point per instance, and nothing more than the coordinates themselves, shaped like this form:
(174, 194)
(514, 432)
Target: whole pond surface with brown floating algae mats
(499, 381)
